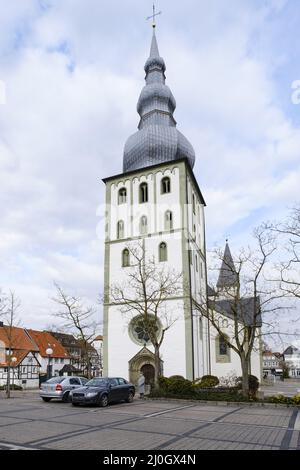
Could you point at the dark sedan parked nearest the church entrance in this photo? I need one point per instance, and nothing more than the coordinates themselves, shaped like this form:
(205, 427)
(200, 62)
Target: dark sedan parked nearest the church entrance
(101, 391)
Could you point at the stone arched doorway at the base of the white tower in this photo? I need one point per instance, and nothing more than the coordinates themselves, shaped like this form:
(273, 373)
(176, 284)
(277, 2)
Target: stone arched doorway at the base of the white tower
(144, 359)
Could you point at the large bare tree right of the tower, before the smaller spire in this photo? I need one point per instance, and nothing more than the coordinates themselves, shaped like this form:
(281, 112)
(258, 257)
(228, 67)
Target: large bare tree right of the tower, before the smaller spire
(250, 301)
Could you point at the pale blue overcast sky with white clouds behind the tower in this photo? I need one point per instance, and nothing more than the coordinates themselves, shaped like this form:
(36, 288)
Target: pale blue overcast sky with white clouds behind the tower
(70, 75)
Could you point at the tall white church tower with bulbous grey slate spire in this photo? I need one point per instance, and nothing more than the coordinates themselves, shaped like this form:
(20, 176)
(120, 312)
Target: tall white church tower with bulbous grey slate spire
(156, 200)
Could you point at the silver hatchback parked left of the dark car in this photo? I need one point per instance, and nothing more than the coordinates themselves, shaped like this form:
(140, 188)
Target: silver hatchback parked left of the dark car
(60, 387)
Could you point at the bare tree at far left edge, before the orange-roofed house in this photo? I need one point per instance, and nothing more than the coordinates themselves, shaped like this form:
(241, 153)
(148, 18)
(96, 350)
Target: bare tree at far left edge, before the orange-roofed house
(8, 313)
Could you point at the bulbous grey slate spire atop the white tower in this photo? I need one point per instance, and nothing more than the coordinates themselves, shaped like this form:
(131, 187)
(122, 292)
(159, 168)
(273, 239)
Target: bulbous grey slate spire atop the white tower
(157, 139)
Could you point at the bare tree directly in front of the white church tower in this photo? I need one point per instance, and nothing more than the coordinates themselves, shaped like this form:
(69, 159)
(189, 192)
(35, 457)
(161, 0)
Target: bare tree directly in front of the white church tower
(144, 294)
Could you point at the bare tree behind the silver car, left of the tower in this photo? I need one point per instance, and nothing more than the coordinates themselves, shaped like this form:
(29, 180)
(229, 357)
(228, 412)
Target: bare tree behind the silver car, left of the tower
(80, 319)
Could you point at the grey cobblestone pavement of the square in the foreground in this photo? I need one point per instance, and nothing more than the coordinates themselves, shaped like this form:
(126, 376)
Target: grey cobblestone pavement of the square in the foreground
(28, 423)
